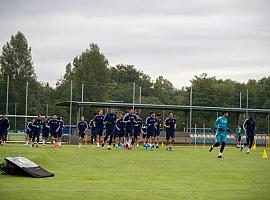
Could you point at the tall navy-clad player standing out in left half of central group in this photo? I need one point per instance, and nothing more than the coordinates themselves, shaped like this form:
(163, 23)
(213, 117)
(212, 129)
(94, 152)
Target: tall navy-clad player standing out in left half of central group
(110, 121)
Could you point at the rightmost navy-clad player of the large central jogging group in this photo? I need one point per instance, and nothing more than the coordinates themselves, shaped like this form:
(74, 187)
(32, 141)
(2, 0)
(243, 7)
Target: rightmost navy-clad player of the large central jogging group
(170, 125)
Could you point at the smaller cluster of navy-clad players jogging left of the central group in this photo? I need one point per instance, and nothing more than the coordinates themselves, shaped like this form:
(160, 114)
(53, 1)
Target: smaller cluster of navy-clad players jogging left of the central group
(48, 127)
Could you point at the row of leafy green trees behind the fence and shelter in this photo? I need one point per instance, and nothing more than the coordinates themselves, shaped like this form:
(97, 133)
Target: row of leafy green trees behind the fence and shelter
(103, 82)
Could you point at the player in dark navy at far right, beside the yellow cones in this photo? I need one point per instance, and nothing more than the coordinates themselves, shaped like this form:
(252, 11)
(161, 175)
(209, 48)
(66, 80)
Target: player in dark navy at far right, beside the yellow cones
(249, 127)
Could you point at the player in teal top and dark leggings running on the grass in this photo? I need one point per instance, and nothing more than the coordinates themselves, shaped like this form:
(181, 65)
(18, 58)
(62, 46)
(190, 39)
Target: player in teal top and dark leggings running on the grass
(221, 132)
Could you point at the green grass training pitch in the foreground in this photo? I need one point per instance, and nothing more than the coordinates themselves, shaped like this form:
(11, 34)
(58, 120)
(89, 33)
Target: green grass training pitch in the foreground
(184, 173)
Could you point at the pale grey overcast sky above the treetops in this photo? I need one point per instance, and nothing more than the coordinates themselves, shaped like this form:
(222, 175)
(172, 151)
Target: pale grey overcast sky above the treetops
(174, 38)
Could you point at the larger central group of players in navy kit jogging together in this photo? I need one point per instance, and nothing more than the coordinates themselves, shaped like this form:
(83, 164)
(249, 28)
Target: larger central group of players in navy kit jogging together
(126, 130)
